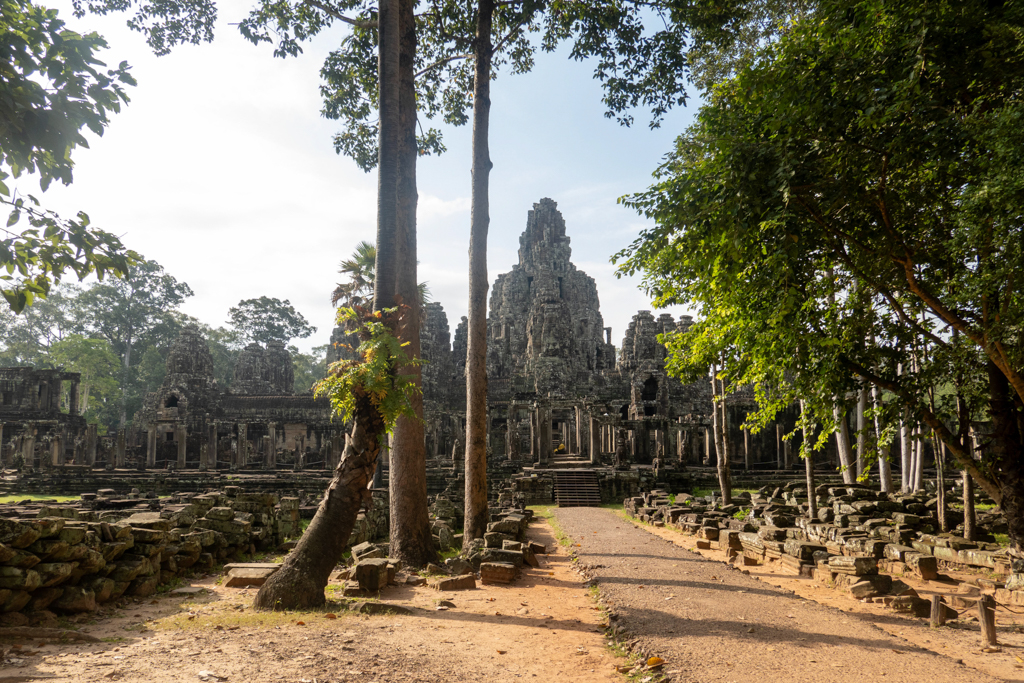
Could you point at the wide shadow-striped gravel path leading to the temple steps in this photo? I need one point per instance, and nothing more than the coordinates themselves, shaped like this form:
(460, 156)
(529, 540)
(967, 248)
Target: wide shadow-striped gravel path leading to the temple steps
(712, 623)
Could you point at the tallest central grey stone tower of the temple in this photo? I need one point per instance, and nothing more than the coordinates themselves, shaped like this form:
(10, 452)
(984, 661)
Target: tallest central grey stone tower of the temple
(545, 324)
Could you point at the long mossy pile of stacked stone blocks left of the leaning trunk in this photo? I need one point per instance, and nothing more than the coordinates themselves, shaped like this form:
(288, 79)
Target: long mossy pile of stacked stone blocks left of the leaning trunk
(69, 559)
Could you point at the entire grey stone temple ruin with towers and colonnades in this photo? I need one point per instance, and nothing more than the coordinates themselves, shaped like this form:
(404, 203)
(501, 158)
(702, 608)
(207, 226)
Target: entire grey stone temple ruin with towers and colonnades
(561, 398)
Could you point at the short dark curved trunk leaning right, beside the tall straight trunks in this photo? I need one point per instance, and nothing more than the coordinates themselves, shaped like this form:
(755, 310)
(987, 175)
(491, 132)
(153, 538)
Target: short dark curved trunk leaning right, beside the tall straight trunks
(300, 584)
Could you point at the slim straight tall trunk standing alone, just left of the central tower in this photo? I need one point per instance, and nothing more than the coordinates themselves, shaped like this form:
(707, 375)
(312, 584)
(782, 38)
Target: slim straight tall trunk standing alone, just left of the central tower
(477, 354)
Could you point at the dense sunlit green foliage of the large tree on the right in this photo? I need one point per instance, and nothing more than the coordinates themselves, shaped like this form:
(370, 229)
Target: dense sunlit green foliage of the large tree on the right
(846, 209)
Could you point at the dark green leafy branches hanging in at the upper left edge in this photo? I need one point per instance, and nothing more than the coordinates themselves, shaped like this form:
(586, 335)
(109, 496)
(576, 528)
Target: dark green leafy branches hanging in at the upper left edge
(52, 88)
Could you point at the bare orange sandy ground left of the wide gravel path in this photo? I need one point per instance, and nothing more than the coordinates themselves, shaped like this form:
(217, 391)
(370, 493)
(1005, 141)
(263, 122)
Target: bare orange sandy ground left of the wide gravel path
(543, 628)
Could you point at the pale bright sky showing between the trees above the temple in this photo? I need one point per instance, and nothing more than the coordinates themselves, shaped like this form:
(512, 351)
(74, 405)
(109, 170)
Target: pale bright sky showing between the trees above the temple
(223, 170)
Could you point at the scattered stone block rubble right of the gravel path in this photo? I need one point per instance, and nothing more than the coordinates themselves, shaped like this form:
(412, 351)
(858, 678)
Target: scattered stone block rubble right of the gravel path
(861, 540)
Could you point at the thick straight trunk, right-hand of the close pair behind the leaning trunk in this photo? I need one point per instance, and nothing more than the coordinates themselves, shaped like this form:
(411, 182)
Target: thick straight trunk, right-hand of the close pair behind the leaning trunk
(412, 541)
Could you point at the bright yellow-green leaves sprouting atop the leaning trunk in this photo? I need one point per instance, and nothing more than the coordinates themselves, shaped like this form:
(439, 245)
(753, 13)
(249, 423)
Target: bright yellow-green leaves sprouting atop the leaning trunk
(375, 374)
